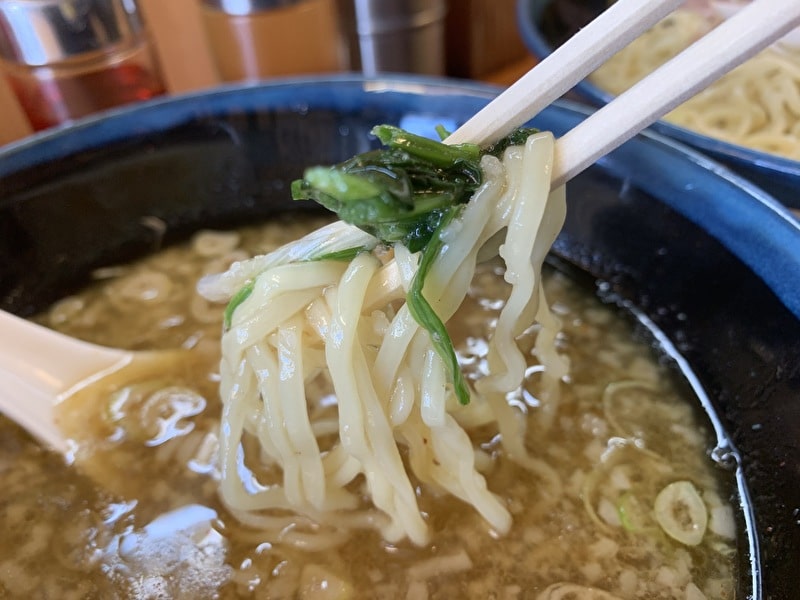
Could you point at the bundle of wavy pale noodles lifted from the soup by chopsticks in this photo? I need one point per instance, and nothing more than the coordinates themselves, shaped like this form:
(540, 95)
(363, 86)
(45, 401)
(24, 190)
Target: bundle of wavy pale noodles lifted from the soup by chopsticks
(338, 408)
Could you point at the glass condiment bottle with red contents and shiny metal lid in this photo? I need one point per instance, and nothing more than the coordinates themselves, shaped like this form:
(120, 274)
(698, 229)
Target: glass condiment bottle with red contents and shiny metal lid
(66, 59)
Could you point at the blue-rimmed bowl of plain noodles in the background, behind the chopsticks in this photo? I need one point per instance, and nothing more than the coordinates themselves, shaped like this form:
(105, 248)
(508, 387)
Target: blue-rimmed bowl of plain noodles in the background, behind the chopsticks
(749, 120)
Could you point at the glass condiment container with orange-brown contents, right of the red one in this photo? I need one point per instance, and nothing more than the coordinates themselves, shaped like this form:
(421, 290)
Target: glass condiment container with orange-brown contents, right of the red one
(254, 39)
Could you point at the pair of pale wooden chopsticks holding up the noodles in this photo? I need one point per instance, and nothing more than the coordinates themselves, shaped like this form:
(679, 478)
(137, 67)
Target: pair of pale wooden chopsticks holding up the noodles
(735, 40)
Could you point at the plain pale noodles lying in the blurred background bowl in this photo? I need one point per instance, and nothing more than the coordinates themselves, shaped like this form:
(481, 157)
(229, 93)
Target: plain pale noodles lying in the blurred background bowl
(756, 105)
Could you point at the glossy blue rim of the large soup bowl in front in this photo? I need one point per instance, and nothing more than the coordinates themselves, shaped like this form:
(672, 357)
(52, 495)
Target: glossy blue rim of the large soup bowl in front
(767, 249)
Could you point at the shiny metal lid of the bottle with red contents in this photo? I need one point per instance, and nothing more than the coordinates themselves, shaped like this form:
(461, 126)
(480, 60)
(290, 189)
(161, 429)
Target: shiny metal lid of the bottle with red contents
(41, 32)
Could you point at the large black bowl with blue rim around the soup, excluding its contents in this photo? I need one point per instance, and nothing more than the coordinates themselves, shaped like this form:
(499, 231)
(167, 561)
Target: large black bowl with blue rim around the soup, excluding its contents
(707, 264)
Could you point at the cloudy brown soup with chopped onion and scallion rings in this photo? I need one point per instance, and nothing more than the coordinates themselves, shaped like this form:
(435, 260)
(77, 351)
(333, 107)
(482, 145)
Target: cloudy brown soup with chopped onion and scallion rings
(137, 514)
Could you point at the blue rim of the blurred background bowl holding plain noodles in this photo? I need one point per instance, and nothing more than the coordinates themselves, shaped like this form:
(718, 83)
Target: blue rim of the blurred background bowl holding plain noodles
(527, 17)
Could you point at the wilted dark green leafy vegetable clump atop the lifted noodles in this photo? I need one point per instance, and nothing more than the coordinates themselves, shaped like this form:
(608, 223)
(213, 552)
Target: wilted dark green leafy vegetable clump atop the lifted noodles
(407, 192)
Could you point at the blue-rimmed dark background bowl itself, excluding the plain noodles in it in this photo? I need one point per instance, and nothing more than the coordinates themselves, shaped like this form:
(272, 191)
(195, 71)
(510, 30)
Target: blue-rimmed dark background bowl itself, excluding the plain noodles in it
(546, 24)
